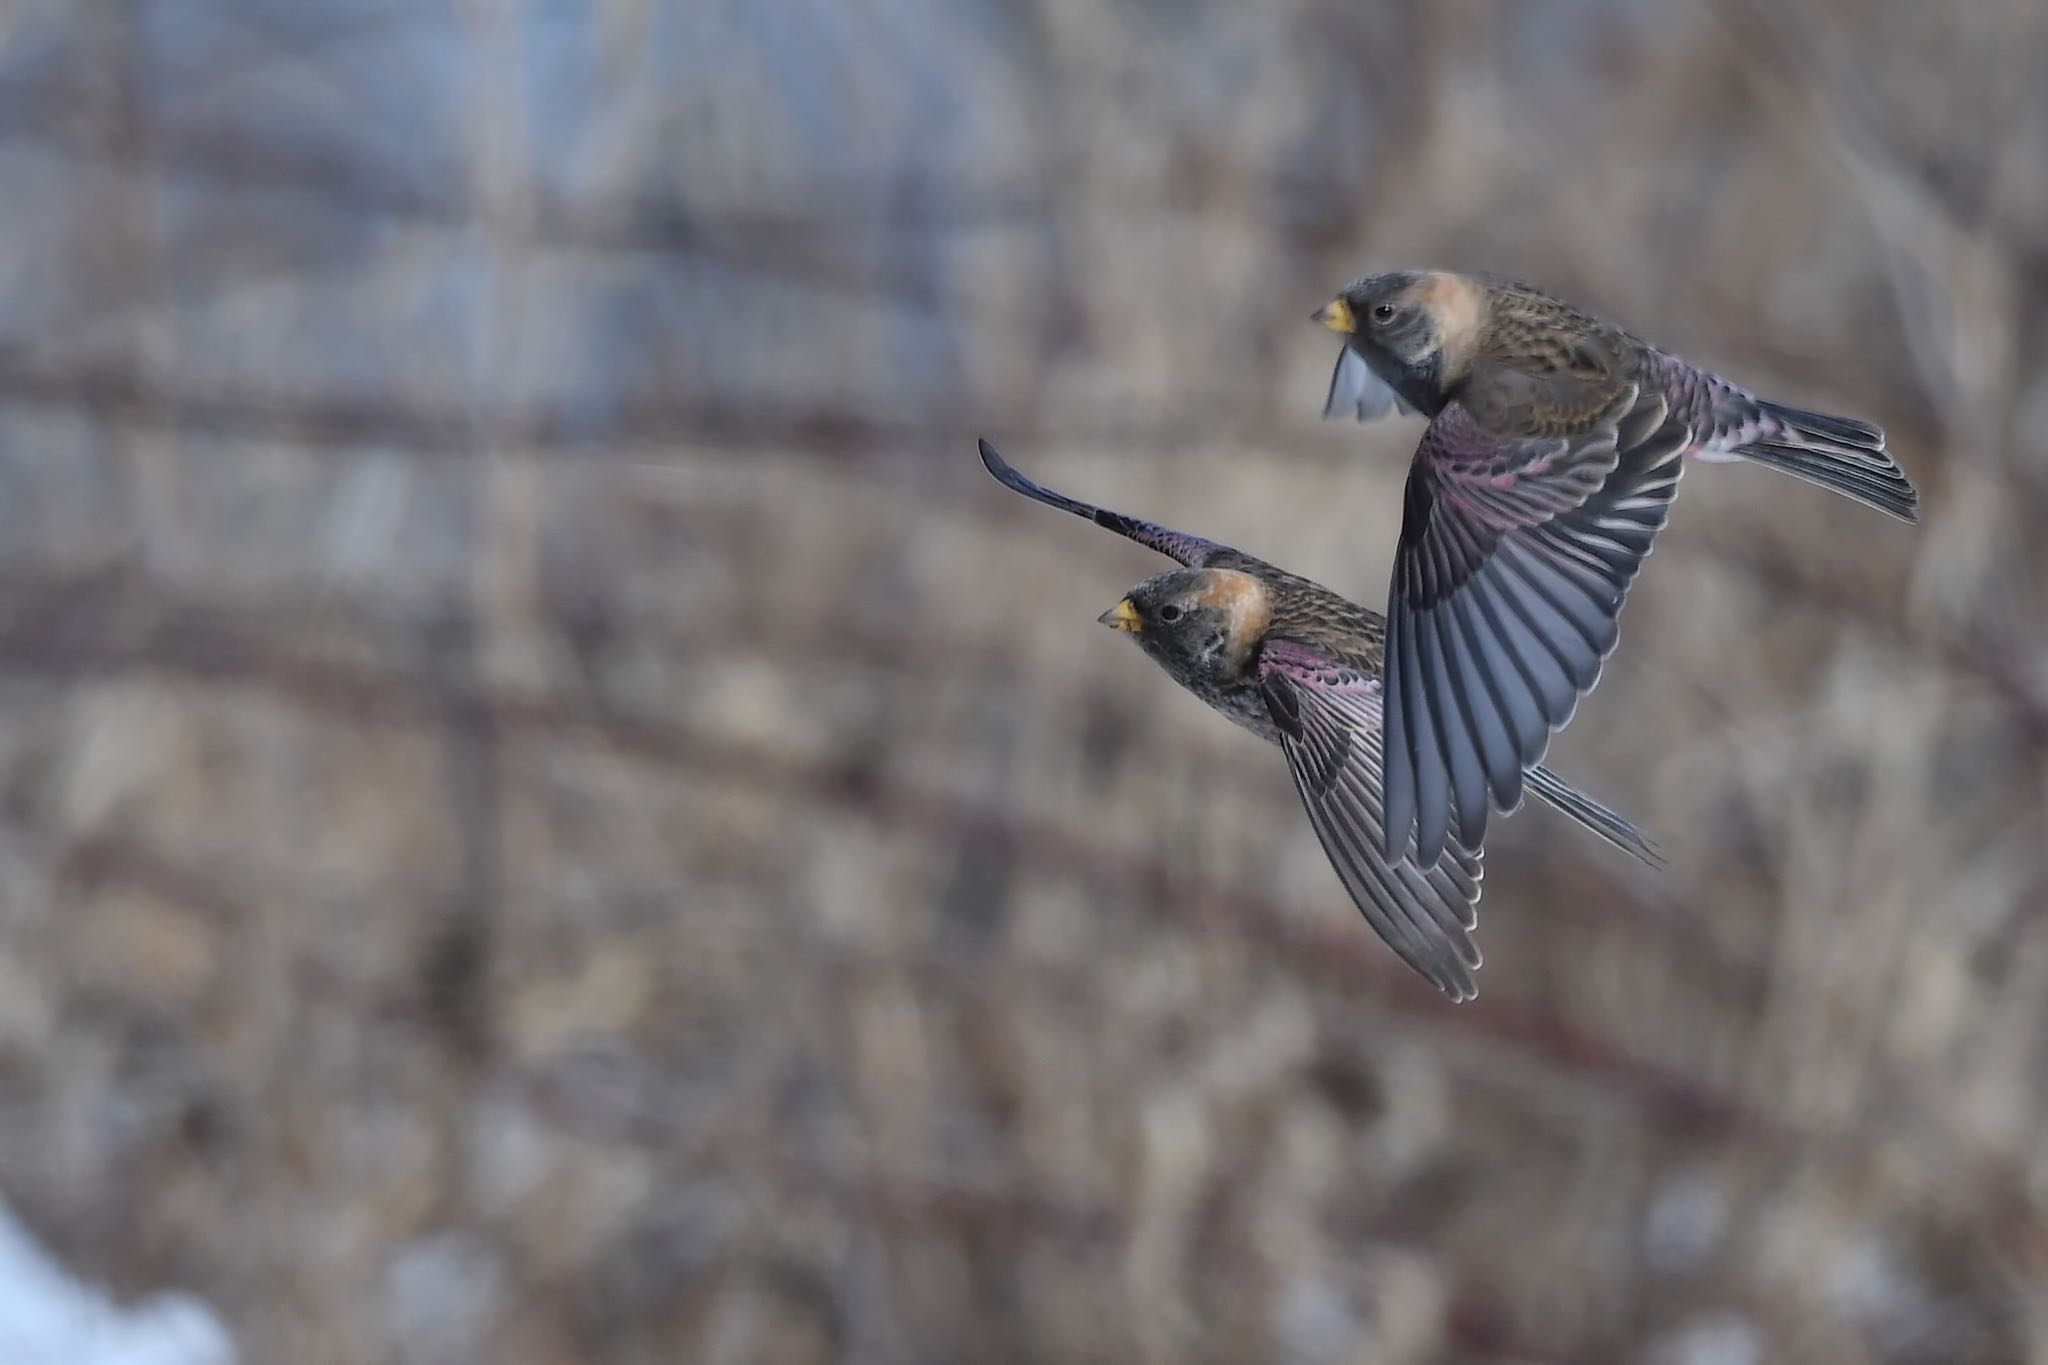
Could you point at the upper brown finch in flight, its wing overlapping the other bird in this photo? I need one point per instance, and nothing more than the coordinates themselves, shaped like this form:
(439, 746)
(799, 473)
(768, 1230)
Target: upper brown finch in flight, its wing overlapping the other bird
(1553, 453)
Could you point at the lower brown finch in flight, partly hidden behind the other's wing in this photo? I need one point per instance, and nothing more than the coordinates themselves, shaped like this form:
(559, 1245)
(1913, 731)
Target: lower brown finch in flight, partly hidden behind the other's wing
(1299, 666)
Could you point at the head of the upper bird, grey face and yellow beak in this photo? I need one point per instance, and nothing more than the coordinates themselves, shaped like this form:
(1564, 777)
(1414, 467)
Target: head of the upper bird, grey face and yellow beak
(1418, 331)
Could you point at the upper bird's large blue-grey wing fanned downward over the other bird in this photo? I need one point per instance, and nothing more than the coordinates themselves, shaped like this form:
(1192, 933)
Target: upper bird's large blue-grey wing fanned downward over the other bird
(1517, 554)
